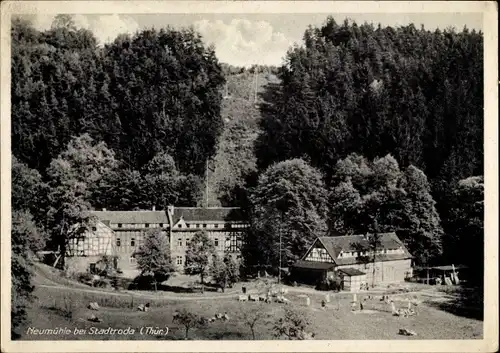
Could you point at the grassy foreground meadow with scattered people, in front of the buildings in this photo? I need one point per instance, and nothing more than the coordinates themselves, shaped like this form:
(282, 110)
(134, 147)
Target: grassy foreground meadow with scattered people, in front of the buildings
(367, 315)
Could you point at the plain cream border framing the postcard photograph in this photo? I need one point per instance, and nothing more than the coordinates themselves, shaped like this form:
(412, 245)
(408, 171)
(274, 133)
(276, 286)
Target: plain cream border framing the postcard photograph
(490, 17)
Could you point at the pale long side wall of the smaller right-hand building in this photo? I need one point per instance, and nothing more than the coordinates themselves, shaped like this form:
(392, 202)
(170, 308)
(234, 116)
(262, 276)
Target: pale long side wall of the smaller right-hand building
(385, 272)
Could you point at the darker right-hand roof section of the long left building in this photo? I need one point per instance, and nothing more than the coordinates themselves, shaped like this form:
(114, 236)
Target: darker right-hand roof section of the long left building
(200, 214)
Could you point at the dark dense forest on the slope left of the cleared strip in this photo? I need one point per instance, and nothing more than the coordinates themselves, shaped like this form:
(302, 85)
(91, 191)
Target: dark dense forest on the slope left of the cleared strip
(155, 91)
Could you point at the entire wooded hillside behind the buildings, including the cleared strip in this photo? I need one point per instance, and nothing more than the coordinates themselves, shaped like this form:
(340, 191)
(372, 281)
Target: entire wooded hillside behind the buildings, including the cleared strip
(151, 111)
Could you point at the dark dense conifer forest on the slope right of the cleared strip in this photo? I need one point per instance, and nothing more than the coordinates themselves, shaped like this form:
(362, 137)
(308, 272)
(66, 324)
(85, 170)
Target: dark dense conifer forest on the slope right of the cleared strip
(410, 92)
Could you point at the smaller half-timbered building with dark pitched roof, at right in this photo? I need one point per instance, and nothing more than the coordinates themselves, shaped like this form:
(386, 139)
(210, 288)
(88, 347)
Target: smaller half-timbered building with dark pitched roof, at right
(343, 257)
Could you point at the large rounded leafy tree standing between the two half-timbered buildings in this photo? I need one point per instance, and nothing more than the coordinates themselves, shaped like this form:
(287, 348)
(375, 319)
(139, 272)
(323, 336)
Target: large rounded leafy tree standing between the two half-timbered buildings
(289, 202)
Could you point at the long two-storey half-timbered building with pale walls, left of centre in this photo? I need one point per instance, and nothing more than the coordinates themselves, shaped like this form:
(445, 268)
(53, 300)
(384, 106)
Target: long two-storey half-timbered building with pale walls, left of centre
(121, 233)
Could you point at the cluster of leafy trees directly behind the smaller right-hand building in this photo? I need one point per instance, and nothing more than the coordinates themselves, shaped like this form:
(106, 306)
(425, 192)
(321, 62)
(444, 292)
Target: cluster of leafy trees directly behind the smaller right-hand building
(378, 197)
